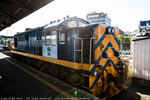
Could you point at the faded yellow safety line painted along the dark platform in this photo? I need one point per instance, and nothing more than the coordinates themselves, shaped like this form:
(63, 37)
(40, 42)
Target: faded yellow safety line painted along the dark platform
(43, 81)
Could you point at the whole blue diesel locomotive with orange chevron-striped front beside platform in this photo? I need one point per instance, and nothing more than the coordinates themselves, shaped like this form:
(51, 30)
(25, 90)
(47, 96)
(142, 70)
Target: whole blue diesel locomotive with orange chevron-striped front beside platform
(85, 55)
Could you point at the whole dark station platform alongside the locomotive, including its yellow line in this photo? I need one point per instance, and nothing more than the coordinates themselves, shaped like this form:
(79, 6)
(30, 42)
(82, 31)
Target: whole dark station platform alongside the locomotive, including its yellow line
(20, 81)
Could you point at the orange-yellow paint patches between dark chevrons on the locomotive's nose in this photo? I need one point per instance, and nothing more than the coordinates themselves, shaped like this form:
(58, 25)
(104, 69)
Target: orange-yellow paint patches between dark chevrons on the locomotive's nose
(99, 32)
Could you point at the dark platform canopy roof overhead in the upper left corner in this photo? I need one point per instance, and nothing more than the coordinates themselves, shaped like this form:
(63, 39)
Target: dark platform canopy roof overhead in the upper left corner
(12, 11)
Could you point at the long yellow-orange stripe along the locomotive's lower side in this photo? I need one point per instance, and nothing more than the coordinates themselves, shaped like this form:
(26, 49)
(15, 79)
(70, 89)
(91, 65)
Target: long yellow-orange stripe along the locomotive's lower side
(78, 66)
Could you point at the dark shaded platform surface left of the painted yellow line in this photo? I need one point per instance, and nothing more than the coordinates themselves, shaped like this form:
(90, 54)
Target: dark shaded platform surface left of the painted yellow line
(16, 83)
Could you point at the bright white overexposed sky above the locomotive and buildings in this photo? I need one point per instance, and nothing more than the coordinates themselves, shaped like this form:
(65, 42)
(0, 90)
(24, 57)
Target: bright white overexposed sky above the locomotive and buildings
(125, 14)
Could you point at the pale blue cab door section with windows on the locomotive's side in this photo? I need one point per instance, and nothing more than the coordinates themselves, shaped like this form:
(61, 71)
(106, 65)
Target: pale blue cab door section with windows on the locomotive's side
(50, 47)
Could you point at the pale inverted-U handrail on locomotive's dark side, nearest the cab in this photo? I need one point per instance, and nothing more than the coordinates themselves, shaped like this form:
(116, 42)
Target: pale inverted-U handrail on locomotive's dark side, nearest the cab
(78, 50)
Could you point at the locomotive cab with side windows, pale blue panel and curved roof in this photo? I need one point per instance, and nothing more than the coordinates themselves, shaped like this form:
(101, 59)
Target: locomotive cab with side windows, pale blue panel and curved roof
(58, 38)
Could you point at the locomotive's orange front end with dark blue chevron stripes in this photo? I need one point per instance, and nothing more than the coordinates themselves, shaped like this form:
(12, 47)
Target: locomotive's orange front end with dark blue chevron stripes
(106, 56)
